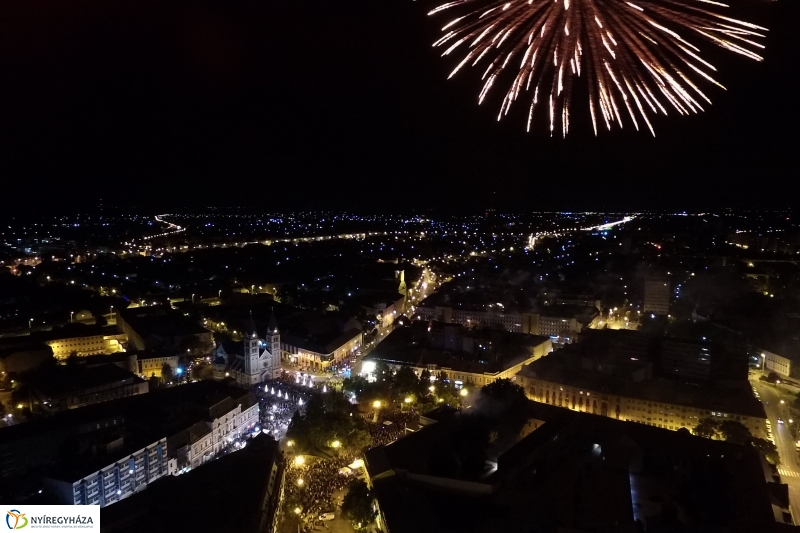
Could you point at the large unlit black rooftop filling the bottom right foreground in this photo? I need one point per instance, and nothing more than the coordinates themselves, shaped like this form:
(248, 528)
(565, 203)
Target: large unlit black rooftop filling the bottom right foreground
(577, 472)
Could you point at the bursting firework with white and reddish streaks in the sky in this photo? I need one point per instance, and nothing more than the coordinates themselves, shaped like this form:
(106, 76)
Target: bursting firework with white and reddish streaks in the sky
(634, 58)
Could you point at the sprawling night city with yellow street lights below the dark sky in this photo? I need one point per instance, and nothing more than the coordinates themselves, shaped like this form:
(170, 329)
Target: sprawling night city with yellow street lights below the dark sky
(313, 356)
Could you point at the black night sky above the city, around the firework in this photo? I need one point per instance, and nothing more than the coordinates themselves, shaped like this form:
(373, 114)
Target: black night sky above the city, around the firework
(344, 104)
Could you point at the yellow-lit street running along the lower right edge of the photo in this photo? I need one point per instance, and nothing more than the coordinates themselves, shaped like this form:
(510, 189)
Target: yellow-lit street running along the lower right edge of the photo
(790, 464)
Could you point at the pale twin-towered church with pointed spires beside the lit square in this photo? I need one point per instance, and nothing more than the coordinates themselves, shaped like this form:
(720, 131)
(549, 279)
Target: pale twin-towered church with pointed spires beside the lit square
(253, 359)
